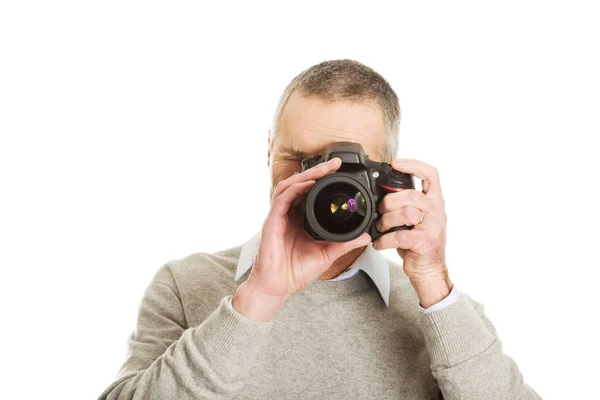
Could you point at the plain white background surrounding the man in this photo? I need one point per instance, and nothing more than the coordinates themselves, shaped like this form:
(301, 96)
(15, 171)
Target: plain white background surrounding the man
(133, 133)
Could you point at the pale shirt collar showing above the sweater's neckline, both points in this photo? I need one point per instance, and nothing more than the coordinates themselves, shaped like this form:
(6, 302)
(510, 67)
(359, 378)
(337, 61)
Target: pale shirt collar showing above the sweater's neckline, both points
(370, 261)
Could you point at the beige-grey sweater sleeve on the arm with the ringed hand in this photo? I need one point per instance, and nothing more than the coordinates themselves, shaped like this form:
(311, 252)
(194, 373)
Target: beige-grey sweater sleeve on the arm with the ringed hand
(466, 355)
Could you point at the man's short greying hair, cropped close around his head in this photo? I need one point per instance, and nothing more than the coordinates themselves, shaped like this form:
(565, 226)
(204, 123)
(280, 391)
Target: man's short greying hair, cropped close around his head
(347, 80)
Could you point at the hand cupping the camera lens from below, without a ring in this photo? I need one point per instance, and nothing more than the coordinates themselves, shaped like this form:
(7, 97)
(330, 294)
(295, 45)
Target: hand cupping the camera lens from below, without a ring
(288, 259)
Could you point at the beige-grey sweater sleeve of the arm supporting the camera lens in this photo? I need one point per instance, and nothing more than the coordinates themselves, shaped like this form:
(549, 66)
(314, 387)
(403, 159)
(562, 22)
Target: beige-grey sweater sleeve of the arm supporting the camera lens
(166, 359)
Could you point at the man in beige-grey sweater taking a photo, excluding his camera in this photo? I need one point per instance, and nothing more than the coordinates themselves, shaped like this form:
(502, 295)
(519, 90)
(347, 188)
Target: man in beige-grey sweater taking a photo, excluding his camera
(288, 317)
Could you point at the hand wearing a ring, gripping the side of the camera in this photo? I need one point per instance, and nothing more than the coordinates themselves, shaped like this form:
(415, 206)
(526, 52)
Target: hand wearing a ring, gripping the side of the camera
(423, 248)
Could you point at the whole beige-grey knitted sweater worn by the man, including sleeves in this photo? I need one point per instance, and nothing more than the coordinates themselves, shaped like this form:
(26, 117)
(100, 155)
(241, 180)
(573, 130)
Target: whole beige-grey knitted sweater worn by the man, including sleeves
(334, 340)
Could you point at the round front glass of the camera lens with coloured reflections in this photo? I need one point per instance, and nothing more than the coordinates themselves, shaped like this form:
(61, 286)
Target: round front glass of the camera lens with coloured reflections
(340, 207)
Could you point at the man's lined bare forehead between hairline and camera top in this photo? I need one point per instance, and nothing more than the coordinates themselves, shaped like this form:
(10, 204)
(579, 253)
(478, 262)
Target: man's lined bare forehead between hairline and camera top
(309, 123)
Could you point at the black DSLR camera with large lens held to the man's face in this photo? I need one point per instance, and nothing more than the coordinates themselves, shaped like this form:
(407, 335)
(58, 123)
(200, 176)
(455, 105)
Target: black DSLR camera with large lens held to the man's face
(342, 206)
